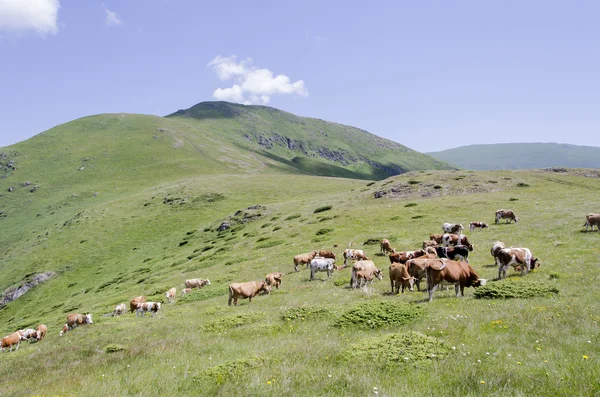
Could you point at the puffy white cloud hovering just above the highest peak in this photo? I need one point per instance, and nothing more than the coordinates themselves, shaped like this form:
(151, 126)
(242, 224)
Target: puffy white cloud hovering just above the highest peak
(252, 85)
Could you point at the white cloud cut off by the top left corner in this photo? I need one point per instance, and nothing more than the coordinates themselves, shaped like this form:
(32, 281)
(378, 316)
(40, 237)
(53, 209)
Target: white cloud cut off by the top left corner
(20, 16)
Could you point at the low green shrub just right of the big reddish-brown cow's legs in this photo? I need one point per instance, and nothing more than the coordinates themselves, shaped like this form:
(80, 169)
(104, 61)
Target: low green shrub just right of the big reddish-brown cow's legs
(514, 289)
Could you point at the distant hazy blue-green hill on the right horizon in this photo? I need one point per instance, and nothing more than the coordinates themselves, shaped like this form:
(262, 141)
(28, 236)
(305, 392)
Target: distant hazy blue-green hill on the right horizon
(515, 156)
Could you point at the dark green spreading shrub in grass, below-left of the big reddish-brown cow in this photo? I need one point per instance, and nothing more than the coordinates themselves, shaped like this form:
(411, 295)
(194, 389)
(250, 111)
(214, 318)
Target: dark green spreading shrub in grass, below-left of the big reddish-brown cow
(378, 314)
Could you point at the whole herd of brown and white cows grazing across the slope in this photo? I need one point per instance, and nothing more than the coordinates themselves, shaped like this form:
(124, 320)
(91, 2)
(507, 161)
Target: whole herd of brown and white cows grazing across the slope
(443, 259)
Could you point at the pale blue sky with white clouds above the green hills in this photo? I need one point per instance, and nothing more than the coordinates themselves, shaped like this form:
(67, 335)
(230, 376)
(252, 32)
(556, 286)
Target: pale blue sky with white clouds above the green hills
(431, 75)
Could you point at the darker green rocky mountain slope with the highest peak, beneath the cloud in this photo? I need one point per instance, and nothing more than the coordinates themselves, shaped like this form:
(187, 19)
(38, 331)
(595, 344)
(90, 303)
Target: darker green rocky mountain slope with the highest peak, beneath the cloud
(311, 145)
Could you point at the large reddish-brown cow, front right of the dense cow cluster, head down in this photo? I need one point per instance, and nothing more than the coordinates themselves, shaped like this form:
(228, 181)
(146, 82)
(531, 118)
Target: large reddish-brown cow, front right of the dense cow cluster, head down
(461, 274)
